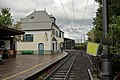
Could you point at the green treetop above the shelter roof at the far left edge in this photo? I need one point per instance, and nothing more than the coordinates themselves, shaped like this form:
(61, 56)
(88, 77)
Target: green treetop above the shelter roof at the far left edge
(5, 17)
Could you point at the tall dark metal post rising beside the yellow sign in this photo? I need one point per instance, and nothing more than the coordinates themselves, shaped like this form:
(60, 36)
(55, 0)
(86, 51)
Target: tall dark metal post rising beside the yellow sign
(106, 61)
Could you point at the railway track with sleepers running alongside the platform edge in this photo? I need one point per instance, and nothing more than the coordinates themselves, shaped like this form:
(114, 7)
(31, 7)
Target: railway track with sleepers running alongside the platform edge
(63, 71)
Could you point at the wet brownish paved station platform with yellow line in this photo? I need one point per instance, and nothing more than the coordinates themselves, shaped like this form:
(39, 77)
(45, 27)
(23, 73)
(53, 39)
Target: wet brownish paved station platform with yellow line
(24, 66)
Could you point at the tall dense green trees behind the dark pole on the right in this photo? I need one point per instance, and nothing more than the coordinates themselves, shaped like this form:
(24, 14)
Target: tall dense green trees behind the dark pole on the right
(114, 24)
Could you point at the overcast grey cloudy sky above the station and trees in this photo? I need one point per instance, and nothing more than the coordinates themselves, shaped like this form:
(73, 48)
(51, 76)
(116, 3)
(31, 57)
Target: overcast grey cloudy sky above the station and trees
(74, 27)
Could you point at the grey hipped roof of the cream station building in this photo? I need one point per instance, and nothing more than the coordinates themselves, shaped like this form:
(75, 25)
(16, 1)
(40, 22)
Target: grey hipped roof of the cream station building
(42, 20)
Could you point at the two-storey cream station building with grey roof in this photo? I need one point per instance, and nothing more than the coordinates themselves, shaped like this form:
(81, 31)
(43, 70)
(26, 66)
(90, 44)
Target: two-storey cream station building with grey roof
(42, 35)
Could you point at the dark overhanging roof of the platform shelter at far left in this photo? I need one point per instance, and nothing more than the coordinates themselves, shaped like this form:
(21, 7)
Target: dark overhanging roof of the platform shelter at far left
(5, 31)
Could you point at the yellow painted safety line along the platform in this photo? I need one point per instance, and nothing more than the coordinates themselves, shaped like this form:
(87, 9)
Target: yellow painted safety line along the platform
(26, 70)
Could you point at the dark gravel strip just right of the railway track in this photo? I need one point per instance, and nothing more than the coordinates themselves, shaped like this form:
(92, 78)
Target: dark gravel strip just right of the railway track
(81, 67)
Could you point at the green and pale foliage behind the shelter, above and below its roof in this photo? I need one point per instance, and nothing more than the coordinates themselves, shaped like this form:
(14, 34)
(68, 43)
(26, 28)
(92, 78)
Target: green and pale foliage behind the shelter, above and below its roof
(6, 21)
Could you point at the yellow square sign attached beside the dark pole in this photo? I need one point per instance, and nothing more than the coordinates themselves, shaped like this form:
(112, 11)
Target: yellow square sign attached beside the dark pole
(92, 48)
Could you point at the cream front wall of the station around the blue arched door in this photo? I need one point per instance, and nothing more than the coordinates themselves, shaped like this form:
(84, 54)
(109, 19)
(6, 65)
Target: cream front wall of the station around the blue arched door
(38, 37)
